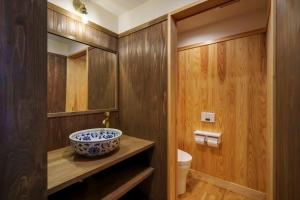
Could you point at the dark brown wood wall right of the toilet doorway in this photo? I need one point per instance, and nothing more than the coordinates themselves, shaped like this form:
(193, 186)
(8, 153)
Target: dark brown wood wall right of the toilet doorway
(287, 126)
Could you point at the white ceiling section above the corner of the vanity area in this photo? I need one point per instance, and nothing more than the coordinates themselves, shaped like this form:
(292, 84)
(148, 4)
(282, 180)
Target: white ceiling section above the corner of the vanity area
(118, 7)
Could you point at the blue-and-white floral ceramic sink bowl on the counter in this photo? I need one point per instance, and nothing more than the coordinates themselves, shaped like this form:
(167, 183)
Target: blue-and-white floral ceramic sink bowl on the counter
(95, 142)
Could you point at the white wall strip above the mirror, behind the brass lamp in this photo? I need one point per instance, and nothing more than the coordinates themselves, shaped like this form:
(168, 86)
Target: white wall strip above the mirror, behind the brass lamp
(96, 13)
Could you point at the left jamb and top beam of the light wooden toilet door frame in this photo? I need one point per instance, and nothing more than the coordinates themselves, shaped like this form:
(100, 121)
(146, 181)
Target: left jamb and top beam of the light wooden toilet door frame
(173, 74)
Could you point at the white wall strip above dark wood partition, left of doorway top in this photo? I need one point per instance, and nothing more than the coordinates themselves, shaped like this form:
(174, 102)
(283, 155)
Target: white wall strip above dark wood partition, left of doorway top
(148, 11)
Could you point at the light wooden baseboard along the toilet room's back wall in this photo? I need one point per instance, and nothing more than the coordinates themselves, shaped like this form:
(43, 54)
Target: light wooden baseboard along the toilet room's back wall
(245, 191)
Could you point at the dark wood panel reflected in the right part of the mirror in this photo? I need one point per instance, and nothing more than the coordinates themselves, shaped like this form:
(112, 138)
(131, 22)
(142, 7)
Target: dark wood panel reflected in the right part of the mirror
(102, 79)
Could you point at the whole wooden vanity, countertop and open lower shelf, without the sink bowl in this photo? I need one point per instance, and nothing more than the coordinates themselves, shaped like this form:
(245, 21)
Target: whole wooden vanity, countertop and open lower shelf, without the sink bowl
(107, 177)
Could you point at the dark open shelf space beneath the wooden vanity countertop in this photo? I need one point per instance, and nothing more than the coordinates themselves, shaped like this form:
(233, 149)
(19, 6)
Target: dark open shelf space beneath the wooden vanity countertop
(110, 184)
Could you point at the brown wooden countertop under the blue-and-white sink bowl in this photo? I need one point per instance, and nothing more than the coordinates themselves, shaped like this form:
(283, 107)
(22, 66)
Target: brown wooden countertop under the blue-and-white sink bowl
(65, 167)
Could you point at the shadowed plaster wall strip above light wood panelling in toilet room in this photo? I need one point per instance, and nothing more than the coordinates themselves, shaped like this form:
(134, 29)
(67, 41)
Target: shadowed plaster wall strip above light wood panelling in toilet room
(221, 29)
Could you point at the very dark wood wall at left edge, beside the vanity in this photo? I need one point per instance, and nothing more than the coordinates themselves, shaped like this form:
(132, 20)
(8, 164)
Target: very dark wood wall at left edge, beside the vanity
(23, 99)
